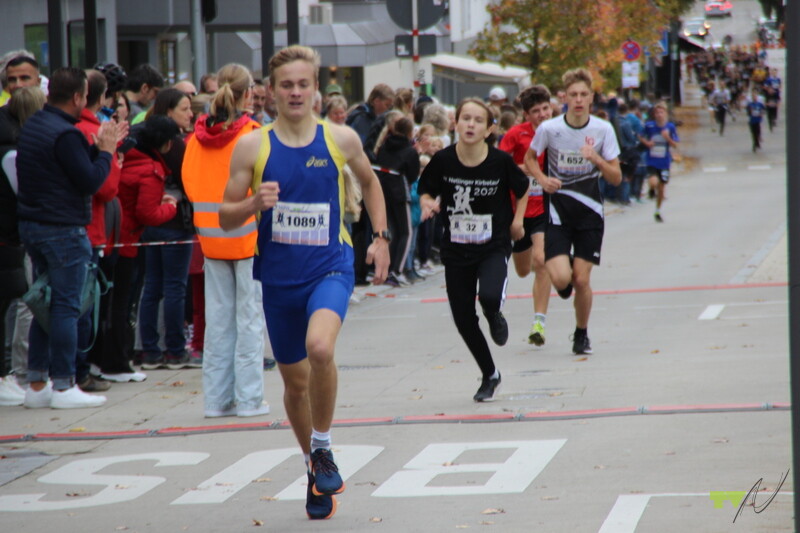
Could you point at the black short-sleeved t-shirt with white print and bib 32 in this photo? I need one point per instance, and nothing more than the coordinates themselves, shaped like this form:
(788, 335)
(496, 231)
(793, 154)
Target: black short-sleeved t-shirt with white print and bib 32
(476, 206)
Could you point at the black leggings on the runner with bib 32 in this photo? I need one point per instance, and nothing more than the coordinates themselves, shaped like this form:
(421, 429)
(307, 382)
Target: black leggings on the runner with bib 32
(487, 279)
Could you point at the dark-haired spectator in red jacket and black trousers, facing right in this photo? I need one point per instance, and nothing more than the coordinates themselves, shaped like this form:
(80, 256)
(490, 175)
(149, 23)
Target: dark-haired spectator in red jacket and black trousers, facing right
(144, 203)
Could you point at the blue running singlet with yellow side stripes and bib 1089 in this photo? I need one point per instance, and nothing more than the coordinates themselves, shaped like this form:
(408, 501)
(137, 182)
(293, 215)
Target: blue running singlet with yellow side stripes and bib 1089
(303, 237)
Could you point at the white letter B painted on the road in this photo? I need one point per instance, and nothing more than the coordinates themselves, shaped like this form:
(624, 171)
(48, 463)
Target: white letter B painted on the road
(511, 476)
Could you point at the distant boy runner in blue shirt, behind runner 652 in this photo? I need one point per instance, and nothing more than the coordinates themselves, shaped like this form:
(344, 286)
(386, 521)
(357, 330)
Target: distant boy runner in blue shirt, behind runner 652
(659, 136)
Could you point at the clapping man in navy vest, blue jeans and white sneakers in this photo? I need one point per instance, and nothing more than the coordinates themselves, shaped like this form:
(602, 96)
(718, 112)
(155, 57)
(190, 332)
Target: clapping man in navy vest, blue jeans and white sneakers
(58, 173)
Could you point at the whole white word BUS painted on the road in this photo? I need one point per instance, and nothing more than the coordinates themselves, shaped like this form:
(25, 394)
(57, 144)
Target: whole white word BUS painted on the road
(514, 475)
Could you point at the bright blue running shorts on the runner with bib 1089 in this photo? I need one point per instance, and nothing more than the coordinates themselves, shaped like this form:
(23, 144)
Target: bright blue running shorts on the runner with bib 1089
(288, 311)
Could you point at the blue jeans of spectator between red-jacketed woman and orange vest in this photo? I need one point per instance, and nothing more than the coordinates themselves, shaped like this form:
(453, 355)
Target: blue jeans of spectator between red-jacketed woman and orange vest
(166, 274)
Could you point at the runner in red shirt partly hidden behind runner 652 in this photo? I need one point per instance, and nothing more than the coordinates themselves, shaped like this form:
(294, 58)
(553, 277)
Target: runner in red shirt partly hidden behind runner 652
(528, 252)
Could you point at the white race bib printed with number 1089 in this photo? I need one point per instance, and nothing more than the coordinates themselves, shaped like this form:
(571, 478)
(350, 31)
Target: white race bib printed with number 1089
(298, 223)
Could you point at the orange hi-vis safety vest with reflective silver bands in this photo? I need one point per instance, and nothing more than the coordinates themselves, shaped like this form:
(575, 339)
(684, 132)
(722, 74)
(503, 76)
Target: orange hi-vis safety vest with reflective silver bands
(205, 175)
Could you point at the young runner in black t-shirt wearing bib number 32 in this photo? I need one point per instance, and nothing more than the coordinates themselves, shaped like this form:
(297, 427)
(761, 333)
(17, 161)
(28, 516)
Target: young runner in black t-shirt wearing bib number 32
(469, 184)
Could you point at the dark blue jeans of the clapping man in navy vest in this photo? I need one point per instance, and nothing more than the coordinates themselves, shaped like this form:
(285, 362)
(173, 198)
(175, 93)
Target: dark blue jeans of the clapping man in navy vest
(63, 252)
